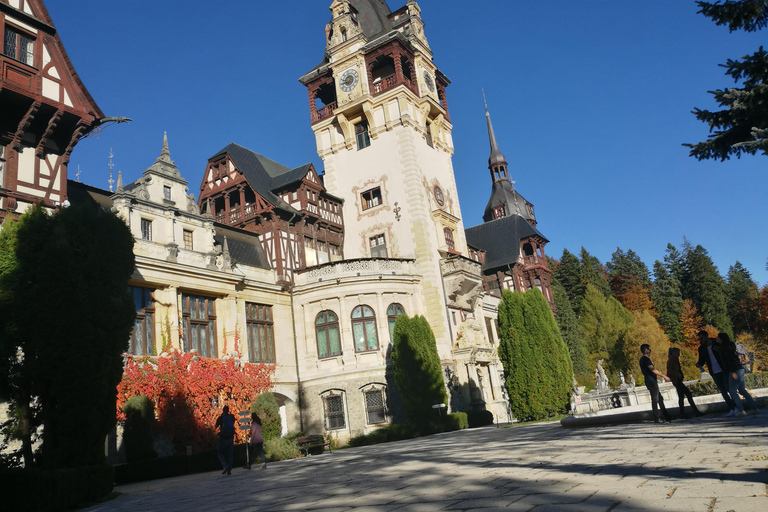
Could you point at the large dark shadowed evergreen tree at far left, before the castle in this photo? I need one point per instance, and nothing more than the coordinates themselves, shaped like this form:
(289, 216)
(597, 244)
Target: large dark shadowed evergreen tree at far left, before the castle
(74, 261)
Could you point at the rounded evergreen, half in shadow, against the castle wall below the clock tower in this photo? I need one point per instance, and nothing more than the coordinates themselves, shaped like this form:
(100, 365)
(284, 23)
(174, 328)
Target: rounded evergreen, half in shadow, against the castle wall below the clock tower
(417, 369)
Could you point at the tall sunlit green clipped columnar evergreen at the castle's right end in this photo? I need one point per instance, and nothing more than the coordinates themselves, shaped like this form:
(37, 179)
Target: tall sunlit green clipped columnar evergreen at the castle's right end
(537, 365)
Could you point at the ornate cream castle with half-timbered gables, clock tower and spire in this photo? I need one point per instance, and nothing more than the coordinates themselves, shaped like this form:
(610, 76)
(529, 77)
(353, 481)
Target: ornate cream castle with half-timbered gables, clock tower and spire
(310, 269)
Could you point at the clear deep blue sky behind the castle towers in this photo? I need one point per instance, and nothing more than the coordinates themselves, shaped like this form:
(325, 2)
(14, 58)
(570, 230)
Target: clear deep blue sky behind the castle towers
(590, 103)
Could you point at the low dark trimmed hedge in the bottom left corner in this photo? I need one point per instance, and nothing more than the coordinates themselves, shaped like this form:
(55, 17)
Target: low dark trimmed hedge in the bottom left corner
(54, 489)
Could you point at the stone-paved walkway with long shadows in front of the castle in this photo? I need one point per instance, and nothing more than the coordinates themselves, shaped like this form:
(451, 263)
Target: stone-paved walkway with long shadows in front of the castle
(708, 464)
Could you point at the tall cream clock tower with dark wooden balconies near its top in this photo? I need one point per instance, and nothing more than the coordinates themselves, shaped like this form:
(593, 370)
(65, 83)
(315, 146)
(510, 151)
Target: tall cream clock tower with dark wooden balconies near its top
(380, 116)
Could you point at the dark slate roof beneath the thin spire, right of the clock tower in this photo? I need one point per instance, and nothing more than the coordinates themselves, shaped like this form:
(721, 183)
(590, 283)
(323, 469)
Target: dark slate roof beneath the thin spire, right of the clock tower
(500, 239)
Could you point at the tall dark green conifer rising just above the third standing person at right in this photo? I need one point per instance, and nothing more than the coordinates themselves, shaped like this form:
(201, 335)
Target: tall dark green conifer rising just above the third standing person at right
(704, 285)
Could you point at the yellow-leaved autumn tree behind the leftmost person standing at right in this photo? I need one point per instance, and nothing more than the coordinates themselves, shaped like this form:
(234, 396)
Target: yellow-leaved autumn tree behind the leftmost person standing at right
(645, 329)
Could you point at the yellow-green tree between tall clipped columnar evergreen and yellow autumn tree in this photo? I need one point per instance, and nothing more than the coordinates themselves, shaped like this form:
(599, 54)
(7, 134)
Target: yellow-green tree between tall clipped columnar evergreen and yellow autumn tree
(604, 322)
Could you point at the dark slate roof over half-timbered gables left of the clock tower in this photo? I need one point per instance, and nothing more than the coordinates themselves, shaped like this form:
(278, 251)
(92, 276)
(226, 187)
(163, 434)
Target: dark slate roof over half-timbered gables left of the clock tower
(262, 173)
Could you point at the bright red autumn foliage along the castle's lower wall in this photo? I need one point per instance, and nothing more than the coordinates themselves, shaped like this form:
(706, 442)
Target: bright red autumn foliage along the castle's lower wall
(189, 391)
